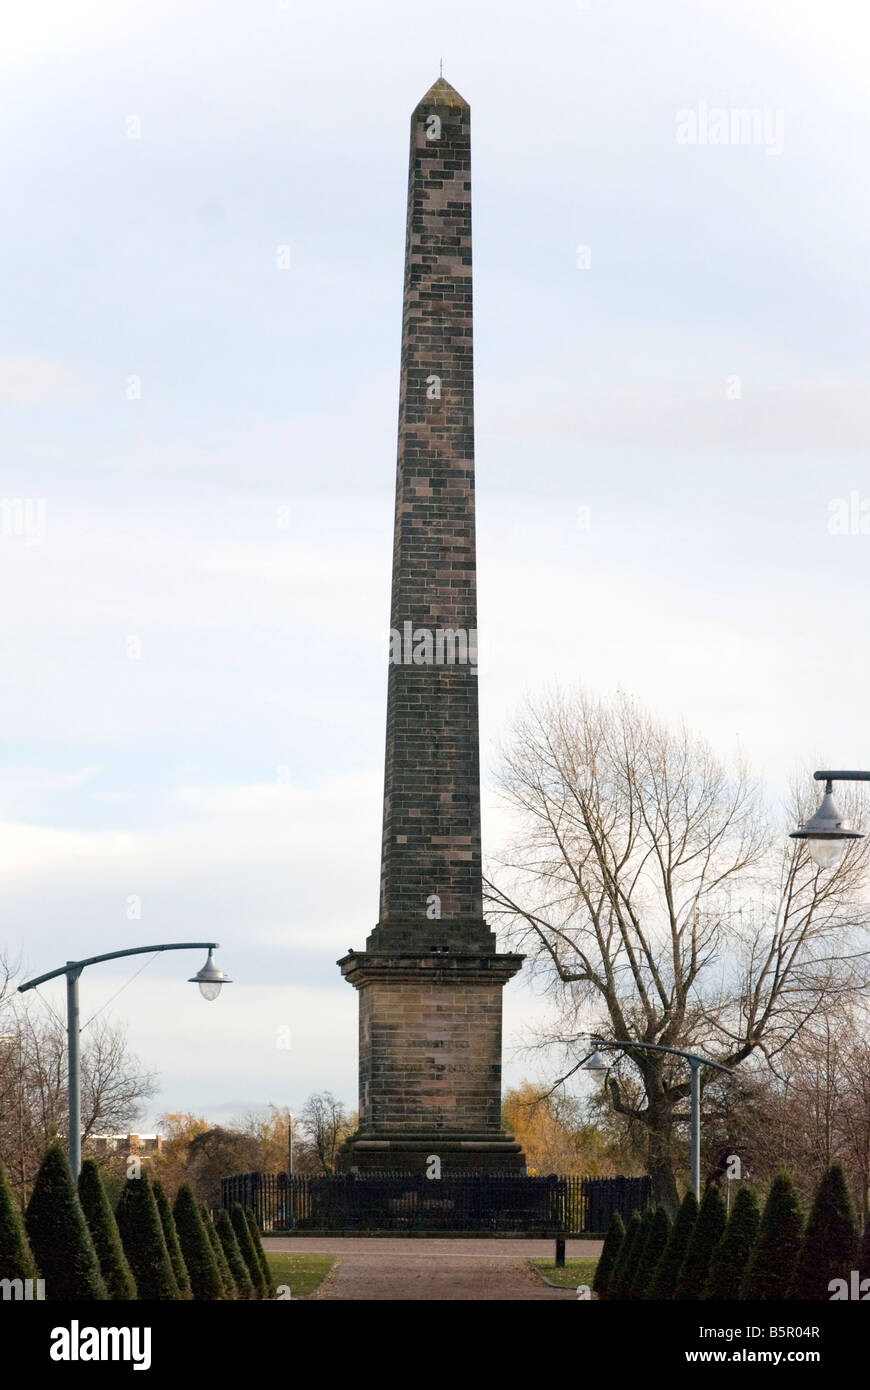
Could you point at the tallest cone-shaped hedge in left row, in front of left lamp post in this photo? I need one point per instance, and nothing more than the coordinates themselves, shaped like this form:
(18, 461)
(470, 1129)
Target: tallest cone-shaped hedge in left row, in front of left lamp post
(59, 1235)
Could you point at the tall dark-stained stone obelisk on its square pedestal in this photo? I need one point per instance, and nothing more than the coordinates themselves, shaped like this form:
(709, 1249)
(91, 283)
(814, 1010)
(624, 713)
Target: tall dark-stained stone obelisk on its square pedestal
(432, 979)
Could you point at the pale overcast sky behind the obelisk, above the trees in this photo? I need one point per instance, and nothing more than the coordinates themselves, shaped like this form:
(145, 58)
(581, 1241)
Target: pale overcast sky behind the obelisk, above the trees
(672, 436)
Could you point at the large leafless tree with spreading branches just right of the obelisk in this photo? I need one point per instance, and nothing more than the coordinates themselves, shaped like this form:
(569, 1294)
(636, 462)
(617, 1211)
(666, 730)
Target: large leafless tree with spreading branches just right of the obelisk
(657, 906)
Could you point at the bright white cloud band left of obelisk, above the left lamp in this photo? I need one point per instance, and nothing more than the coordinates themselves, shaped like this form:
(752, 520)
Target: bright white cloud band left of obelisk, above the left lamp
(256, 862)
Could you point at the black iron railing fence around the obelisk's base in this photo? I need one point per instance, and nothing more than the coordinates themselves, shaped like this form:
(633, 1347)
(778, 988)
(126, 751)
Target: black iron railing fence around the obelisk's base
(412, 1202)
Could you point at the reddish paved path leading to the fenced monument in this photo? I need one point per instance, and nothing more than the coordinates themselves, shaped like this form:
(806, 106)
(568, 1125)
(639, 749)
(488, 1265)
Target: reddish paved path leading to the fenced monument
(373, 1268)
